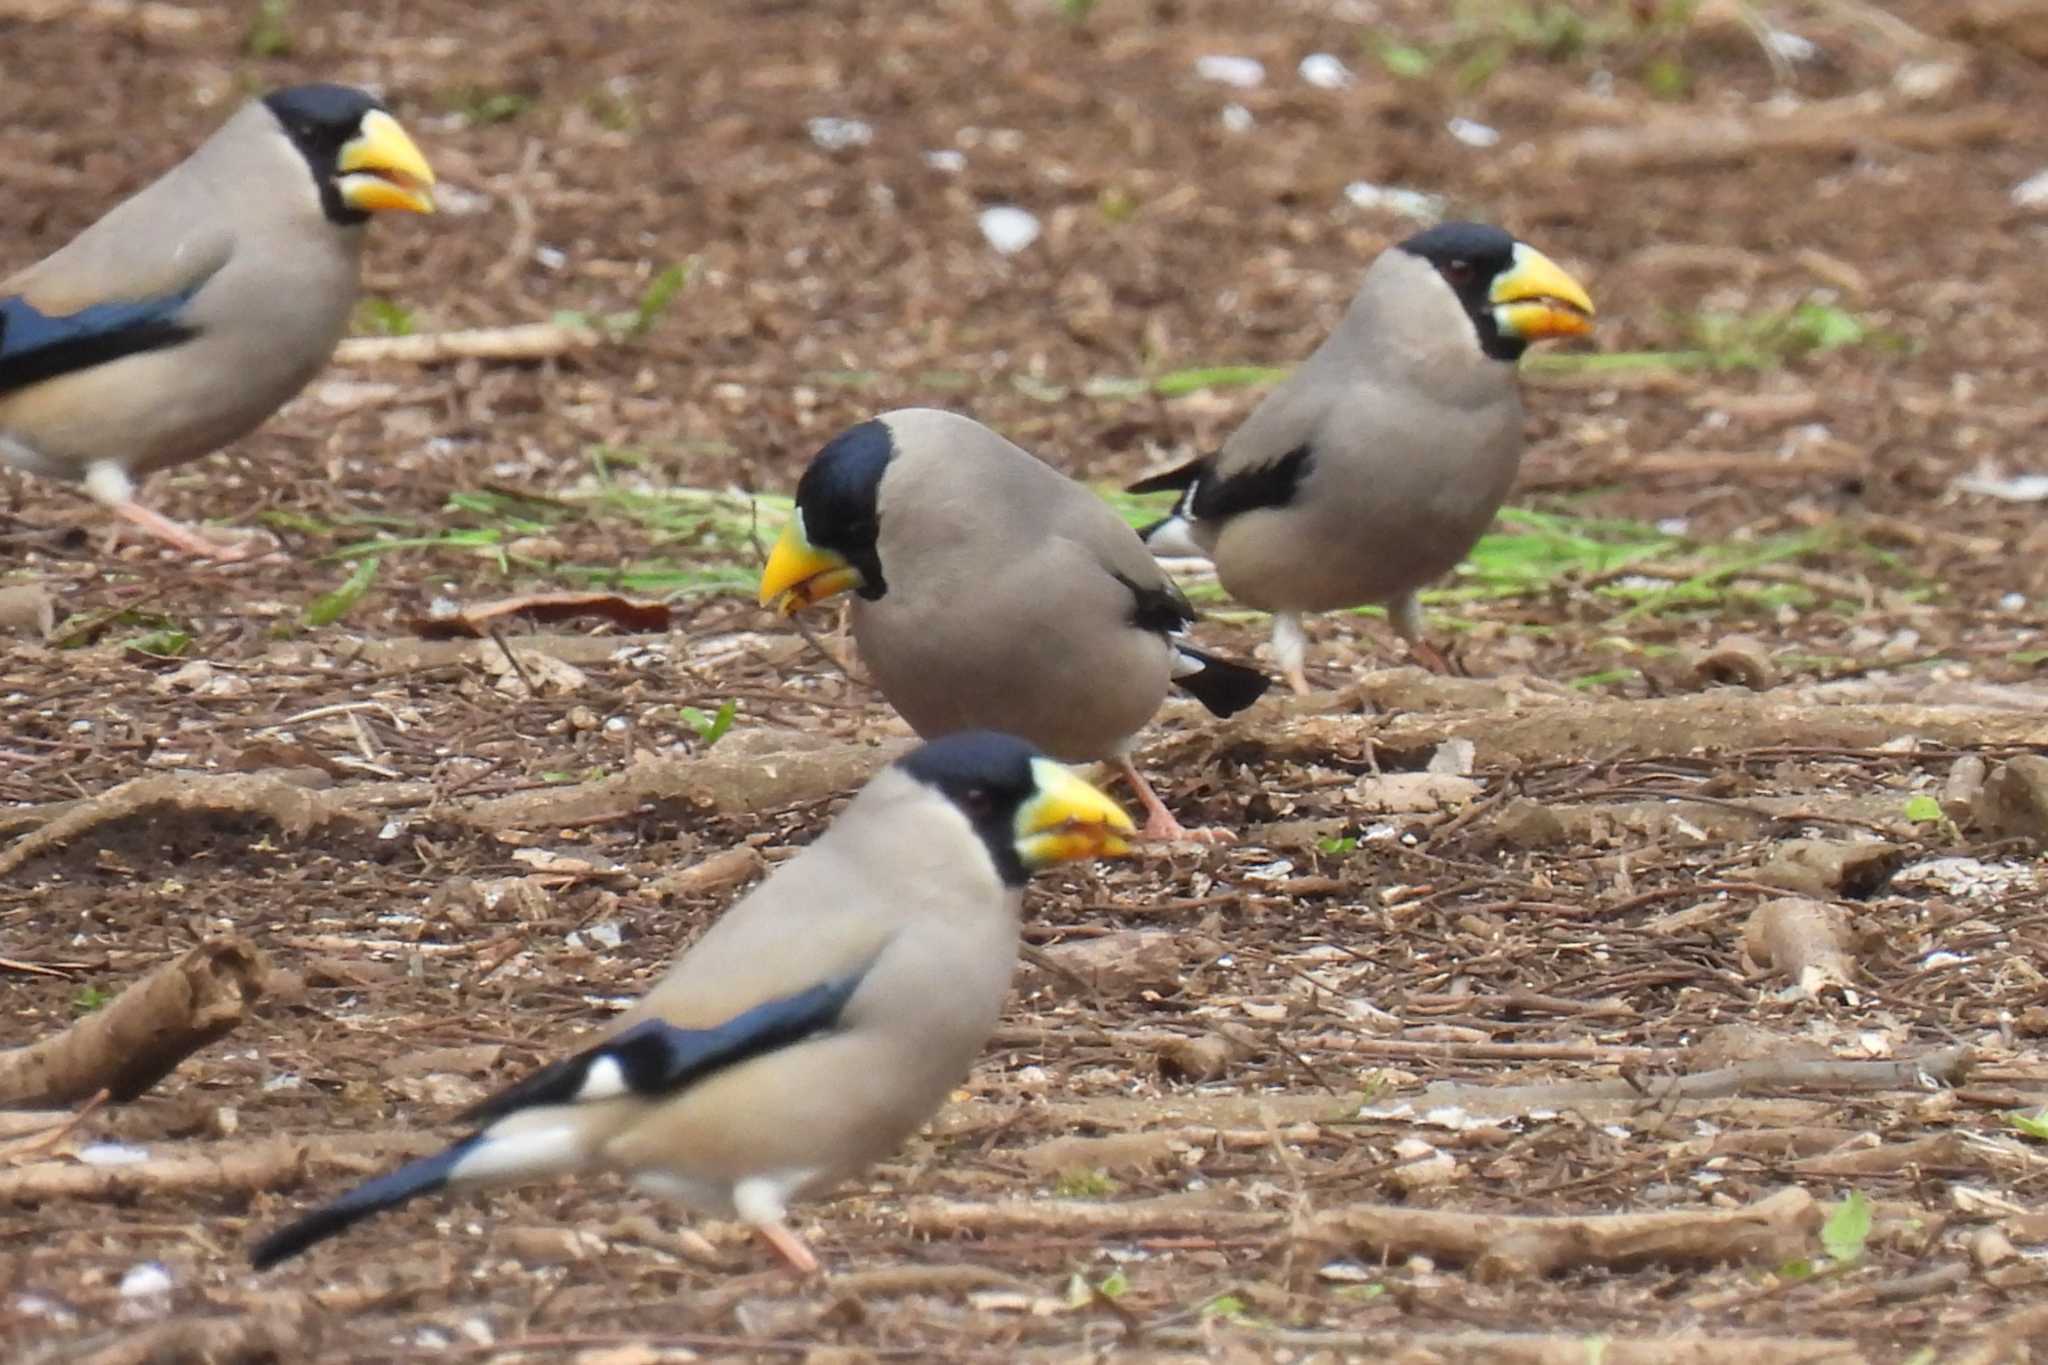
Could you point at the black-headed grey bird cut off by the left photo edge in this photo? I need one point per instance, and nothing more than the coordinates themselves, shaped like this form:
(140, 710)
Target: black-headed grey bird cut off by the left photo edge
(200, 306)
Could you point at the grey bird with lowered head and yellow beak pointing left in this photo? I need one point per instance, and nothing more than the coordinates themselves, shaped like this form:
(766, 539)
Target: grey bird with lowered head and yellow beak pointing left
(992, 590)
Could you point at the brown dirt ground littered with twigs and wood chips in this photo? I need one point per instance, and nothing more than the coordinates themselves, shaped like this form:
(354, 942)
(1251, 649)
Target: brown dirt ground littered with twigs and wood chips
(1250, 1104)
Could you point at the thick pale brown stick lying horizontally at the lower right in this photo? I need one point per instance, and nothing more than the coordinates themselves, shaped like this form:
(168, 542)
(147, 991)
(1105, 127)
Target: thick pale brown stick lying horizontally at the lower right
(1527, 1247)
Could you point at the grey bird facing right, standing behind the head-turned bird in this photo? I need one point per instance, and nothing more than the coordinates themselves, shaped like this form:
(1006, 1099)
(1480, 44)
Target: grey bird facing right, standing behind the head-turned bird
(1377, 466)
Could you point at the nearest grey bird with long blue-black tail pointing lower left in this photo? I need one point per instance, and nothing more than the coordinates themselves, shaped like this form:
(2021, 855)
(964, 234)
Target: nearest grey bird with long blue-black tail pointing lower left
(810, 1030)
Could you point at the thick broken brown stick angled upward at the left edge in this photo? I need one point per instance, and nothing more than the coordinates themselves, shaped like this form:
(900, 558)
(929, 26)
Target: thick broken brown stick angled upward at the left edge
(144, 1034)
